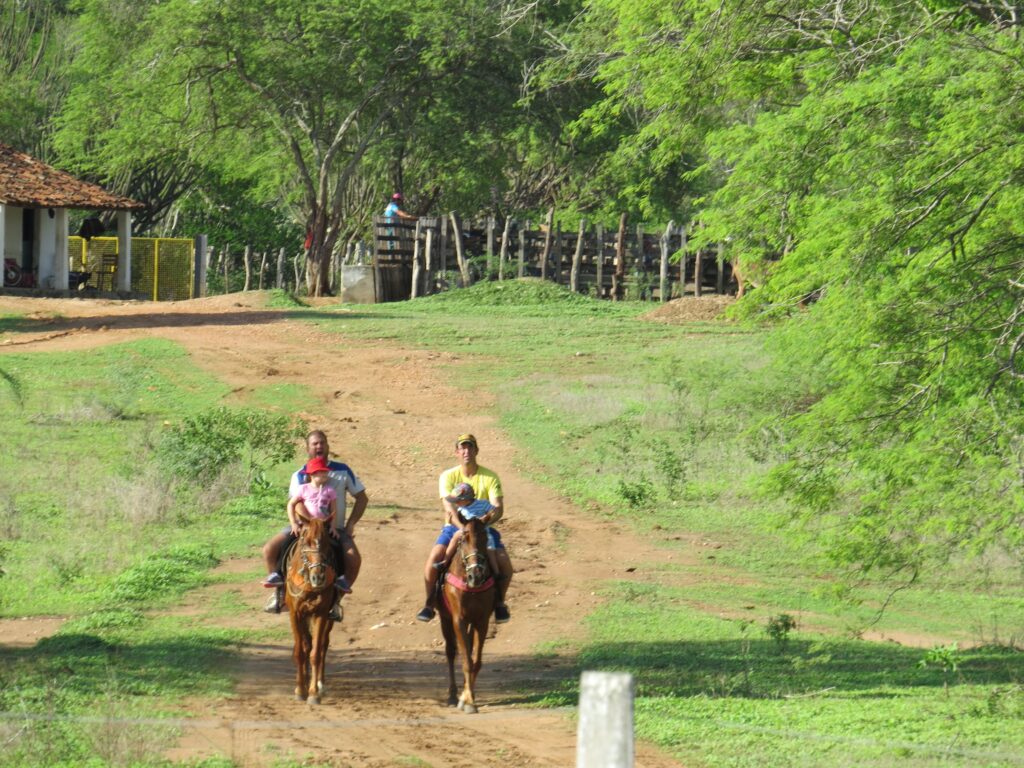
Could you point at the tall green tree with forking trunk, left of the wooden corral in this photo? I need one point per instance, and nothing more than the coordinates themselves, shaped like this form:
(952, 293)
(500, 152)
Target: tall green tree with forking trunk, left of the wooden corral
(295, 96)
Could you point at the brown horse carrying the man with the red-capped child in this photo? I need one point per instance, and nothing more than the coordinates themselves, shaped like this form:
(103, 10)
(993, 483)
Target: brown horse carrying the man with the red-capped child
(311, 594)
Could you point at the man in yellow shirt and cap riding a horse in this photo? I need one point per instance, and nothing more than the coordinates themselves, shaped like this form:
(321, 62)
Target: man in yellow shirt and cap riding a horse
(488, 486)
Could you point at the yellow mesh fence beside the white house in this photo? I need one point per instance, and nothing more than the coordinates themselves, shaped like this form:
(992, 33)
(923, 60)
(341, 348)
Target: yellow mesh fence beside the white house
(161, 268)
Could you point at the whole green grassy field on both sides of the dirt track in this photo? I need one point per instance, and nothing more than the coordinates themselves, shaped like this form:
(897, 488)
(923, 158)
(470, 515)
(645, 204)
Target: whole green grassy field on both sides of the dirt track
(747, 650)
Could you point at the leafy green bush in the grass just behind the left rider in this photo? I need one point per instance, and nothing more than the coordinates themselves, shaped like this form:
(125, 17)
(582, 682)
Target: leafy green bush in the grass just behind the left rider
(204, 446)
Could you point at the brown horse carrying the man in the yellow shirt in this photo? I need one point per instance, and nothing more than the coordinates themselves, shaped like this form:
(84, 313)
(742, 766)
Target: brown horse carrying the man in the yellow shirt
(465, 611)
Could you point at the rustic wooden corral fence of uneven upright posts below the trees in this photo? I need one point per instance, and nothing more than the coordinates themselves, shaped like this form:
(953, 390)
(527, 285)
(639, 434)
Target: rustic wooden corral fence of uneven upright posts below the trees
(418, 258)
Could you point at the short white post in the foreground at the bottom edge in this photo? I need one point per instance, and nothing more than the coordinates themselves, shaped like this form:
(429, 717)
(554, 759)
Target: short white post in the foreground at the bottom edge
(605, 739)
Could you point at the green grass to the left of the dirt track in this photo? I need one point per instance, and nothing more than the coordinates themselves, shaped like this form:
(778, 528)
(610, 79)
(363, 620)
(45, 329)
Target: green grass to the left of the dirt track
(96, 531)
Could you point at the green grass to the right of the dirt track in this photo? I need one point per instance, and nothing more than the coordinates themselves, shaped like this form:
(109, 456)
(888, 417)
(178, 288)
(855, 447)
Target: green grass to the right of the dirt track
(672, 429)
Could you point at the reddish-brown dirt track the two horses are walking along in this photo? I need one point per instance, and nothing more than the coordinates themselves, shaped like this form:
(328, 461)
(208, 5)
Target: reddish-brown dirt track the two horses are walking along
(390, 413)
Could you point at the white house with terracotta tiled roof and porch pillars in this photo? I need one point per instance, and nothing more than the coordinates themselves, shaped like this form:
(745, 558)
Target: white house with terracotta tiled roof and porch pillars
(34, 203)
